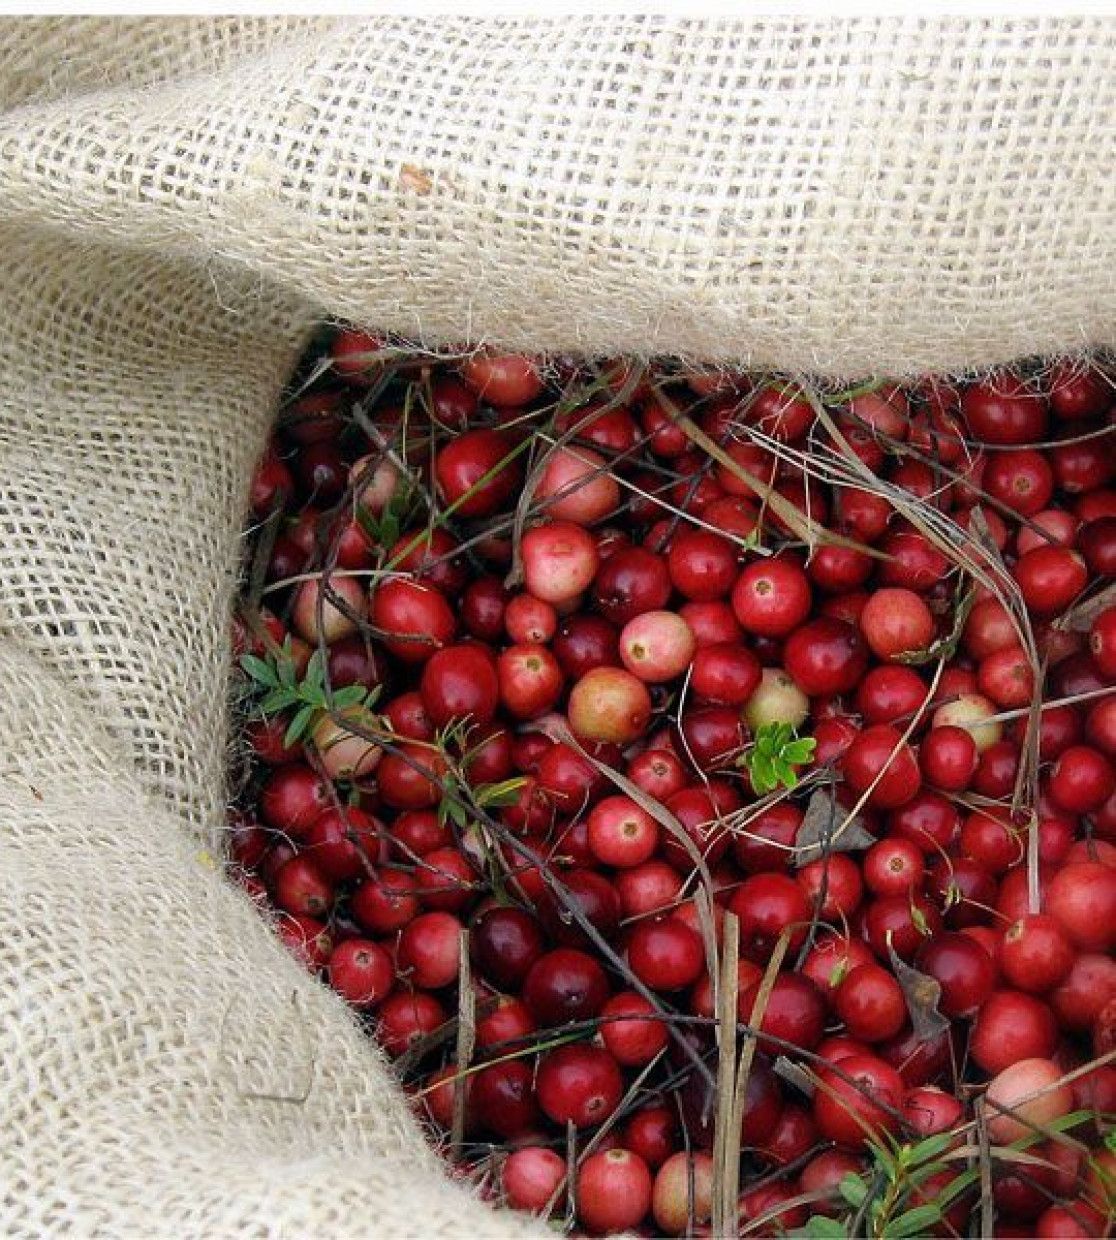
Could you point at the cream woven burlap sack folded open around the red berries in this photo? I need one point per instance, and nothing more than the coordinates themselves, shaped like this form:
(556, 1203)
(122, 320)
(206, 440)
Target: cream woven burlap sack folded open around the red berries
(179, 201)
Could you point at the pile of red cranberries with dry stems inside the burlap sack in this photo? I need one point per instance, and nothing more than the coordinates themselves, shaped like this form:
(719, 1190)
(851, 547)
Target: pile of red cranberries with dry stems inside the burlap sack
(562, 607)
